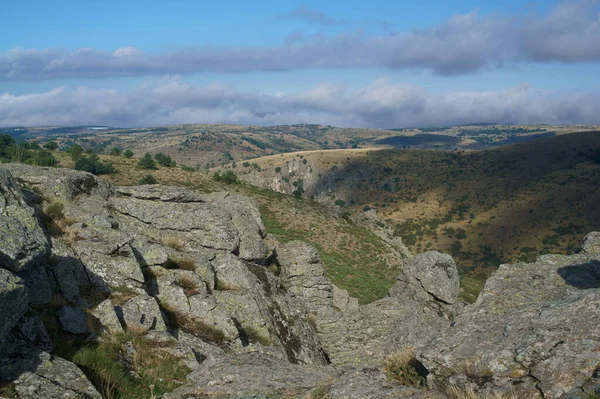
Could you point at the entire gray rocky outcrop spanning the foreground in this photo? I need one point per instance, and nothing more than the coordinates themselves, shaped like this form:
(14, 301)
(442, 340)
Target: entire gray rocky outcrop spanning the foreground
(197, 276)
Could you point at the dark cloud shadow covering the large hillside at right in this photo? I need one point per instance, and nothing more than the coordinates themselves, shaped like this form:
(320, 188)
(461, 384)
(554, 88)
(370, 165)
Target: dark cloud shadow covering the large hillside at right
(544, 191)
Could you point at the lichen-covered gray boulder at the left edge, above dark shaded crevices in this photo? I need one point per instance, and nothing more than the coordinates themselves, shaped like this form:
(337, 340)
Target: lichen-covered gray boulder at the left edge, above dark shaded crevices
(22, 240)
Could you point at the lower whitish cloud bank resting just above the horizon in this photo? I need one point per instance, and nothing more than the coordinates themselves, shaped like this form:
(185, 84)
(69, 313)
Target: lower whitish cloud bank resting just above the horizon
(380, 104)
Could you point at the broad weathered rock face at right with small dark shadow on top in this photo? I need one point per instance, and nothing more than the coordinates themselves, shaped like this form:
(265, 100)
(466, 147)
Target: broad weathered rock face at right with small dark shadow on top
(534, 329)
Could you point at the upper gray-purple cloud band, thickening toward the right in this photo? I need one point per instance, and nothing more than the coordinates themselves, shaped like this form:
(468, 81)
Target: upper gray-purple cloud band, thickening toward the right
(569, 33)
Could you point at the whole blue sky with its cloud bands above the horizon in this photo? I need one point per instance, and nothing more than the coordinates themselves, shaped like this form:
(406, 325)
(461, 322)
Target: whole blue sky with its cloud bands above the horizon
(381, 64)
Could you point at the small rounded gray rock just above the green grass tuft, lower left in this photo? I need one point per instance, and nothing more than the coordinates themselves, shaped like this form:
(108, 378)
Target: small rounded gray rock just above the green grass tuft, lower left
(142, 314)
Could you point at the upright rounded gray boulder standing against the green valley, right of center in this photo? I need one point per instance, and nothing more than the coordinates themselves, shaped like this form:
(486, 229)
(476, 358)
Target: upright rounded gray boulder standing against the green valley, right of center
(437, 274)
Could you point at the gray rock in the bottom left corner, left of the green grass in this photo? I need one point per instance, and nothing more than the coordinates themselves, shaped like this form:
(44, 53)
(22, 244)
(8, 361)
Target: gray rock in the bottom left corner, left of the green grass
(55, 378)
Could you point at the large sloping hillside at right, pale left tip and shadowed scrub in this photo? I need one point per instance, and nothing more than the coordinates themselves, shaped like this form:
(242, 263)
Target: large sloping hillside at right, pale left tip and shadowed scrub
(485, 208)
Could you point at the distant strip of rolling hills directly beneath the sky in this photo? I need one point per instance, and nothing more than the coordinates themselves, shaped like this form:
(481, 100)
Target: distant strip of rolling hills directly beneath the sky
(207, 146)
